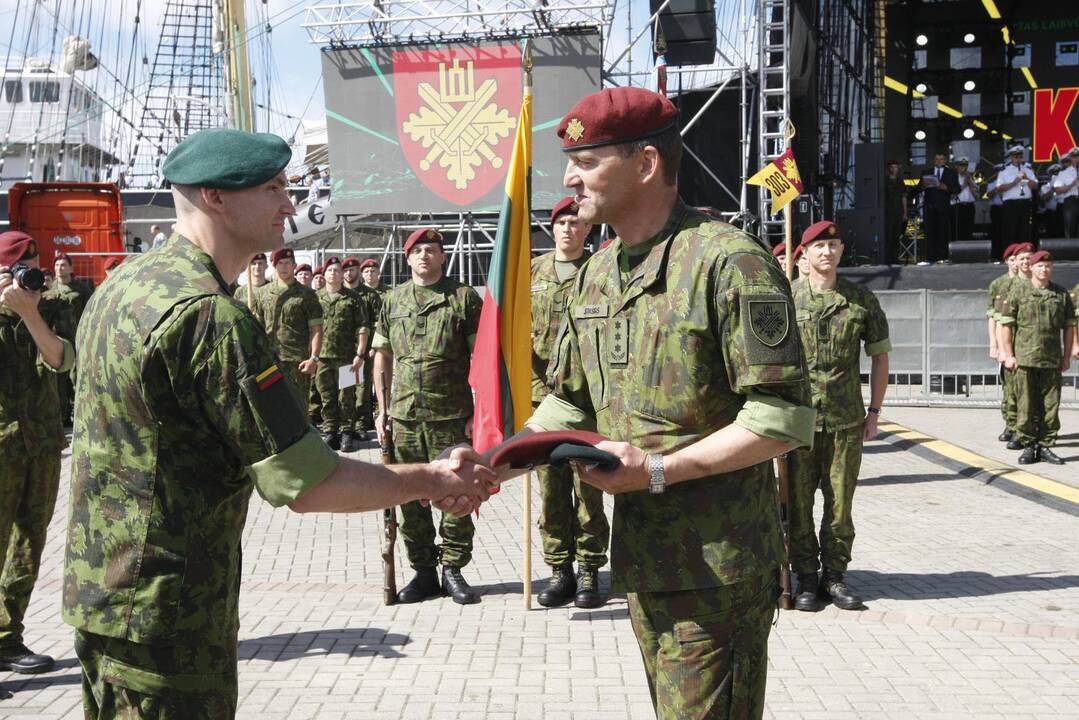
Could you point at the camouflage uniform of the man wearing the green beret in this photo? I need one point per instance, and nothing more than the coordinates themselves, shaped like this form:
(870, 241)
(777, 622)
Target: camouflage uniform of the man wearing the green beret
(182, 412)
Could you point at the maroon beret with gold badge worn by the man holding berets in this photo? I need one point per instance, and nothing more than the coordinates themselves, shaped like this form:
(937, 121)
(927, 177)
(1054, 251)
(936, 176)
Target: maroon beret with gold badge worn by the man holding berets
(616, 116)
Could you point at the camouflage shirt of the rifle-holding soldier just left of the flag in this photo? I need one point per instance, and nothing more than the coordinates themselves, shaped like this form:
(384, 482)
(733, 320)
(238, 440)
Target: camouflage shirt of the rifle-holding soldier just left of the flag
(428, 330)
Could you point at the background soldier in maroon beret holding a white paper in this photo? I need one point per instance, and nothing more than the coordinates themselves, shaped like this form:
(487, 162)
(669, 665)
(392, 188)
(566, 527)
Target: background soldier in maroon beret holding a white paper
(346, 329)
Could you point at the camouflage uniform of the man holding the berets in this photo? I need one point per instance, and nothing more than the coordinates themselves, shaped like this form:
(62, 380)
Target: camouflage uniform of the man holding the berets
(702, 337)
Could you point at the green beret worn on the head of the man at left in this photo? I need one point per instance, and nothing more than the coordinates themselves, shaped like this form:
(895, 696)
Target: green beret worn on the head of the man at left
(227, 159)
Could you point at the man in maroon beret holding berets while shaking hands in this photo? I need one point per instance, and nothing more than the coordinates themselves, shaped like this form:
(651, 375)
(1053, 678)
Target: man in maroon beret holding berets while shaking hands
(679, 344)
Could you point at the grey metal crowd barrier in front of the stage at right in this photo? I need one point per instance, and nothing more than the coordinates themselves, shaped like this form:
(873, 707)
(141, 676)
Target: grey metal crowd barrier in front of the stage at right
(940, 351)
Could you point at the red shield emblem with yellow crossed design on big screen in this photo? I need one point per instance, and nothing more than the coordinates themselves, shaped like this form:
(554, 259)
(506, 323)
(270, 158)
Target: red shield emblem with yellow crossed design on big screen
(455, 116)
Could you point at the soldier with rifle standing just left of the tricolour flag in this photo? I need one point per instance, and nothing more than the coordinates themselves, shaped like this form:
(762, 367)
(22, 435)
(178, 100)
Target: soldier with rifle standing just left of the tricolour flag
(424, 346)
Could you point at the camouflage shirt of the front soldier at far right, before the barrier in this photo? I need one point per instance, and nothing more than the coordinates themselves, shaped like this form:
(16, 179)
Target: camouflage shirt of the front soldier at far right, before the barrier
(1039, 317)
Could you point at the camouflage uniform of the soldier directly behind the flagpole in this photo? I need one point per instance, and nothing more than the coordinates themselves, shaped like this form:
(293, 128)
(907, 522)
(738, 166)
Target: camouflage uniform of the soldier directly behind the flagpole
(572, 522)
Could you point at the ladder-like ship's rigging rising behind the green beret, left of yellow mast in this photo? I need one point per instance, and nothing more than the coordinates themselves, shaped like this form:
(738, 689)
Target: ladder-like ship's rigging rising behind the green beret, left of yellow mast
(185, 93)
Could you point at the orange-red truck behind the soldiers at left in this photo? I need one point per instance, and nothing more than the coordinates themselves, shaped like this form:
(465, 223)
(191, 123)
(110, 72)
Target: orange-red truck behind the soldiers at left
(84, 220)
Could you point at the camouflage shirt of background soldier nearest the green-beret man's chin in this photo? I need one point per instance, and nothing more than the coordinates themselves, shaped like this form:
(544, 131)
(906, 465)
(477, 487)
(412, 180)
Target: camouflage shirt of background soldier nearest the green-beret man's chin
(289, 314)
